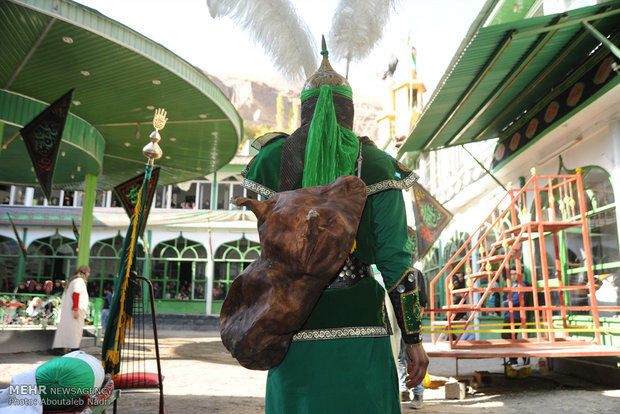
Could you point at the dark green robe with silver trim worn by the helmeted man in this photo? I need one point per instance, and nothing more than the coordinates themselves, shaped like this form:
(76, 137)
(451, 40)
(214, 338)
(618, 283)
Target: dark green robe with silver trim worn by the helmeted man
(342, 360)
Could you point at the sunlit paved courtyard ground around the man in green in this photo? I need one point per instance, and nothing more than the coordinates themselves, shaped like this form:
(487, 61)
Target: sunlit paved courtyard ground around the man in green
(201, 376)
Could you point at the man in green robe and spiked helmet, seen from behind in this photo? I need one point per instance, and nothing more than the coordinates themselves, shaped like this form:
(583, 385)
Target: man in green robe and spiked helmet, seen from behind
(341, 360)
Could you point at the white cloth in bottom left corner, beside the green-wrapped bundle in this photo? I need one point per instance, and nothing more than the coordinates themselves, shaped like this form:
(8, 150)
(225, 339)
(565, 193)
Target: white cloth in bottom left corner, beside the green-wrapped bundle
(24, 399)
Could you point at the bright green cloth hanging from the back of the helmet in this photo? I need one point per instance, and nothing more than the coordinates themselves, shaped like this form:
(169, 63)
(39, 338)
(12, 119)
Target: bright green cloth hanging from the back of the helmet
(331, 149)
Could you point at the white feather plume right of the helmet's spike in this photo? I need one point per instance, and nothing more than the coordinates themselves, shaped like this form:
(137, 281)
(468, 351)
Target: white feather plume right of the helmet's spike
(357, 26)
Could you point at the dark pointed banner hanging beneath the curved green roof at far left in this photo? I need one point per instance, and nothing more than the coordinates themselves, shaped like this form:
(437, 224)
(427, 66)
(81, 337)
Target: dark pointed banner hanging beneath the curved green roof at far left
(42, 138)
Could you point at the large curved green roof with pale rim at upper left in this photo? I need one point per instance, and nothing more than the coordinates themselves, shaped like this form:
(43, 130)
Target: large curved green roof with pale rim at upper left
(119, 77)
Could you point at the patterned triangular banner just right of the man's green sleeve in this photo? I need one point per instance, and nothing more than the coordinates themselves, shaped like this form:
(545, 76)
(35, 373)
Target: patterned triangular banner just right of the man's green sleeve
(430, 218)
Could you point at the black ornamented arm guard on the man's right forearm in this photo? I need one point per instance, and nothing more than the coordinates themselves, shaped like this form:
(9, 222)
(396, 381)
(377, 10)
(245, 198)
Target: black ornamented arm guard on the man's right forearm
(405, 298)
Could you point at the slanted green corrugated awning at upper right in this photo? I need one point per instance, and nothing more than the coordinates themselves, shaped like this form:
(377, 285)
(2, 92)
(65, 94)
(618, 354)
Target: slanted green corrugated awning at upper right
(504, 70)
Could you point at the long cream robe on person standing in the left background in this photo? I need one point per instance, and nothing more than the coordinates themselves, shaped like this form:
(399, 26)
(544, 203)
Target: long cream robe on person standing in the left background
(69, 332)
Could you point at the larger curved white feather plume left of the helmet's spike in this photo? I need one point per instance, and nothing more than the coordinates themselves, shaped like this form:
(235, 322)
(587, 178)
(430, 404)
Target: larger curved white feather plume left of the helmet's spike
(276, 26)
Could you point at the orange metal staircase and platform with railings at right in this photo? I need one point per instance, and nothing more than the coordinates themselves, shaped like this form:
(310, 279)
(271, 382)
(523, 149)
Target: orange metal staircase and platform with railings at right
(538, 321)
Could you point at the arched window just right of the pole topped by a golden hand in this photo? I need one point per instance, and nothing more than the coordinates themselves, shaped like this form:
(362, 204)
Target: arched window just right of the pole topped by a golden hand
(179, 269)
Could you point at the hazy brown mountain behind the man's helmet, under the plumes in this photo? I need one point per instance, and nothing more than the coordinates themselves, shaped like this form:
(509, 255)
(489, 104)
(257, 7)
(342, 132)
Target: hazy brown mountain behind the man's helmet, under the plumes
(256, 102)
